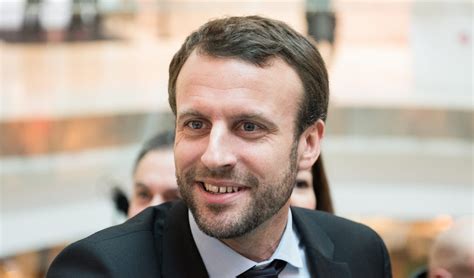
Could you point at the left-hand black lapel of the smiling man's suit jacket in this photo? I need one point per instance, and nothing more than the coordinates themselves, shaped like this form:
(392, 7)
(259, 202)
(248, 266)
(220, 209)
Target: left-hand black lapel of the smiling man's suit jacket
(180, 257)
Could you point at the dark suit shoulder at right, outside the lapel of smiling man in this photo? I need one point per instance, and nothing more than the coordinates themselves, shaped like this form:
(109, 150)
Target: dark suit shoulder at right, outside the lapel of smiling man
(343, 240)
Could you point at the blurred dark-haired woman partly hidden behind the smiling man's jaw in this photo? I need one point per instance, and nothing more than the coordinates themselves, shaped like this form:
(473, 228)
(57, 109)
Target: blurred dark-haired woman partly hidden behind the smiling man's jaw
(312, 189)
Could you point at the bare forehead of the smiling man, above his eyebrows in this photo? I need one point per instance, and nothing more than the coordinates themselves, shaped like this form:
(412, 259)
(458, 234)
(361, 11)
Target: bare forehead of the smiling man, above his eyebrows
(204, 79)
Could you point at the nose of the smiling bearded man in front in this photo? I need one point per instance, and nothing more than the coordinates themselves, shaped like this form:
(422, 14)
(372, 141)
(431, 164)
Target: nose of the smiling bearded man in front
(219, 152)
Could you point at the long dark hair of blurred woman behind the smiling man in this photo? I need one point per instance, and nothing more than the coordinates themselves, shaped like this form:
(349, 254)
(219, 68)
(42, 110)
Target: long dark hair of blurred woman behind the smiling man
(321, 187)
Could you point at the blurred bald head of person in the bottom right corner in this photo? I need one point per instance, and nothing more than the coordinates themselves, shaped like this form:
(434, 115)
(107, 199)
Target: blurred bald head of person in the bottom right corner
(452, 253)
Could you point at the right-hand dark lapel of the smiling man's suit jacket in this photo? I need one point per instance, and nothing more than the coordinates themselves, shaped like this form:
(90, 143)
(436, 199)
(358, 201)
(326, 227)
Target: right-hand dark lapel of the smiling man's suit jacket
(319, 247)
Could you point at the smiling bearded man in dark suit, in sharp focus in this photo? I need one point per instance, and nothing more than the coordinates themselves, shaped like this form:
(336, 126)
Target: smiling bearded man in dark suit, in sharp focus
(250, 97)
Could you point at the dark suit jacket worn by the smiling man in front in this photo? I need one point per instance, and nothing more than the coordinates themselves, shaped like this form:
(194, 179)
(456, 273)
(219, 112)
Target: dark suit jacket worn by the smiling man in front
(158, 243)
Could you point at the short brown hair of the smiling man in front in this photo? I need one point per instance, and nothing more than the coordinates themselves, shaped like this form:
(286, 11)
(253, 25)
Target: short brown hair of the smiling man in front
(256, 40)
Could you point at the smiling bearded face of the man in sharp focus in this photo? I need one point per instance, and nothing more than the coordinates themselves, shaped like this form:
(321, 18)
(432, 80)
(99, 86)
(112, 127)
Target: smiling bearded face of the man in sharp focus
(235, 149)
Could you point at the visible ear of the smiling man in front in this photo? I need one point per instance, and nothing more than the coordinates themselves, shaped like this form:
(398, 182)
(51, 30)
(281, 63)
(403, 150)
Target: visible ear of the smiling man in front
(309, 145)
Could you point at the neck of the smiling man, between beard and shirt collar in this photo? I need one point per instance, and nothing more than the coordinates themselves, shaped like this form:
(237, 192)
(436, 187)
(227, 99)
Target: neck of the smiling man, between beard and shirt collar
(260, 244)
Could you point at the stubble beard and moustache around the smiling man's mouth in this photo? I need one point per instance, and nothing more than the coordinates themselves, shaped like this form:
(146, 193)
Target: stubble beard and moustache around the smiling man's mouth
(265, 200)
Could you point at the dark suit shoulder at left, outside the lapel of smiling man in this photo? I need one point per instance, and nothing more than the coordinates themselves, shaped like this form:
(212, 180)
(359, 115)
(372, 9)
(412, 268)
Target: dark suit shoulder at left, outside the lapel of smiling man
(115, 251)
